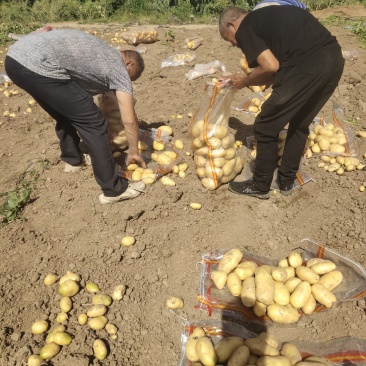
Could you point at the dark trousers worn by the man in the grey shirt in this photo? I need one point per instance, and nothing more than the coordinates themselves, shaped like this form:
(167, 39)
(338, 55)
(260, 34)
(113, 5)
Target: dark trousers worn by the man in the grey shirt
(76, 115)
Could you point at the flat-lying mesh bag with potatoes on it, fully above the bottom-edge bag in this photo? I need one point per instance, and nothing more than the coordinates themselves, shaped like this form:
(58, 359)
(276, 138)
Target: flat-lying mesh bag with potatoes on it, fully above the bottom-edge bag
(286, 291)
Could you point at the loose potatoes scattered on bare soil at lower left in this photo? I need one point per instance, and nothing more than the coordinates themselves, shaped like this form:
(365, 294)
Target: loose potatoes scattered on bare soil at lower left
(95, 317)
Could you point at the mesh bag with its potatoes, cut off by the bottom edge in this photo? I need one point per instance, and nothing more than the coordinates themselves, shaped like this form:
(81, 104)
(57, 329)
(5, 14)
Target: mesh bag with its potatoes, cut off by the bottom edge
(215, 342)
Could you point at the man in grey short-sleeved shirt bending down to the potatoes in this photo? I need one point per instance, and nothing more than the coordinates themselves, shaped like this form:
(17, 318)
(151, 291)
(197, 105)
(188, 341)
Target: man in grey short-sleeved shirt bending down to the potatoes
(62, 70)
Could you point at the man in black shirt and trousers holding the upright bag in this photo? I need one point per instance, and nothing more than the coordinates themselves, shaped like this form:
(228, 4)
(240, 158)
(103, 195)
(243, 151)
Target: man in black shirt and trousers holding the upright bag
(290, 49)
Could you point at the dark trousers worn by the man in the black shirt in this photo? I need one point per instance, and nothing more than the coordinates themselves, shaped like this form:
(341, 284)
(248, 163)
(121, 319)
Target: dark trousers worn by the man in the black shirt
(299, 93)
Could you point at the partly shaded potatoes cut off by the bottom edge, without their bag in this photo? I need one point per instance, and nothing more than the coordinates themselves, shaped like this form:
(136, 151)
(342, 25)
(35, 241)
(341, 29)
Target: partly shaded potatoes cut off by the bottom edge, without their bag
(263, 350)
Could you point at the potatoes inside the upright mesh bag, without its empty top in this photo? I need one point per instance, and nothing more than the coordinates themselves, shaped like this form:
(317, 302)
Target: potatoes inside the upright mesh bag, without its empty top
(214, 154)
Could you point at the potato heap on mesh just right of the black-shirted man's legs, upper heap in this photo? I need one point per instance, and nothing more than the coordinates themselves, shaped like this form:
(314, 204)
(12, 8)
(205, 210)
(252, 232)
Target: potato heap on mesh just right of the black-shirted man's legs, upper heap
(327, 138)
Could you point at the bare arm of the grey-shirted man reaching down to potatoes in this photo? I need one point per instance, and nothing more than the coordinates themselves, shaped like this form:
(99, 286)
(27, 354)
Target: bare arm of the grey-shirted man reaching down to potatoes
(130, 123)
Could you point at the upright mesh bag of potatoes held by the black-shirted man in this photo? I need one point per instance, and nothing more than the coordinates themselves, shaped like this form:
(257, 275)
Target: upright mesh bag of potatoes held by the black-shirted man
(215, 156)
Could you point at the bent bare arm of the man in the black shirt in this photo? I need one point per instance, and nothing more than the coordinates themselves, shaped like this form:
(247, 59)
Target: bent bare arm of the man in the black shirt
(261, 75)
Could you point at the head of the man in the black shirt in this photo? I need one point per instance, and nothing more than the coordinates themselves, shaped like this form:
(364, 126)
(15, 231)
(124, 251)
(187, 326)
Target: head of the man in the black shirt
(229, 22)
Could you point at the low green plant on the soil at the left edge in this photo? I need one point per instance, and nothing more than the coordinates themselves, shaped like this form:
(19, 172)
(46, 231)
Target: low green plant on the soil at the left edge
(17, 199)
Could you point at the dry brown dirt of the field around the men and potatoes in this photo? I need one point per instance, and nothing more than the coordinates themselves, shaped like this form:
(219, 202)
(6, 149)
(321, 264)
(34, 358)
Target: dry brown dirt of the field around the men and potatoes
(65, 228)
